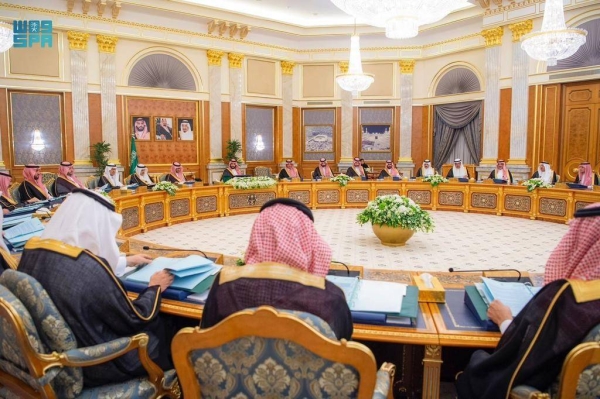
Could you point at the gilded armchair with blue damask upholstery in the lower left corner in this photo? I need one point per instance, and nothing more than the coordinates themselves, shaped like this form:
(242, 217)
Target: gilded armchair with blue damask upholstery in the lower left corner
(39, 357)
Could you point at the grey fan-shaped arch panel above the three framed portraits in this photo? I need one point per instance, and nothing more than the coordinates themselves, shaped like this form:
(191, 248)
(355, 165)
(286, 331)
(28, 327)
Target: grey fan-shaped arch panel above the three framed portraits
(162, 71)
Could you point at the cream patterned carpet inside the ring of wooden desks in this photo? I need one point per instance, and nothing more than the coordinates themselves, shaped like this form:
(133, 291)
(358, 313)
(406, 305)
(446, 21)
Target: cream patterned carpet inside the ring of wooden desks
(460, 240)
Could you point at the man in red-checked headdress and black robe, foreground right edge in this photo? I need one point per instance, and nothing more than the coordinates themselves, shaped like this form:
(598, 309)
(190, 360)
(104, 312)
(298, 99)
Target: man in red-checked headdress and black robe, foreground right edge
(535, 344)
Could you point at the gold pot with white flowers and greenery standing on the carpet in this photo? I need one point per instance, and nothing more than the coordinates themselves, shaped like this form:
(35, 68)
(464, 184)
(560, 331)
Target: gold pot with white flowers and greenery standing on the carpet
(395, 218)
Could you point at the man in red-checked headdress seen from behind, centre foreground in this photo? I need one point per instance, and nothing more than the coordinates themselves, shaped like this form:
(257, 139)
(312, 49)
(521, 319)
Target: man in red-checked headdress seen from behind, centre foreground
(283, 237)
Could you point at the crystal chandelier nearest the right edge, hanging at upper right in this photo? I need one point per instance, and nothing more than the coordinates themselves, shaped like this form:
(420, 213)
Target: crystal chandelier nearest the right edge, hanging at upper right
(554, 42)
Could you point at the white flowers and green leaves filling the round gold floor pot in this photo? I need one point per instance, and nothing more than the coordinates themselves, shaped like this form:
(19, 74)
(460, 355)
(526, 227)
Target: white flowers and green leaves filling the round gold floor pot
(396, 211)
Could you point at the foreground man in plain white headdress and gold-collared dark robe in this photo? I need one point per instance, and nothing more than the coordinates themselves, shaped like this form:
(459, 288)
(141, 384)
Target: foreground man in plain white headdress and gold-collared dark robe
(77, 261)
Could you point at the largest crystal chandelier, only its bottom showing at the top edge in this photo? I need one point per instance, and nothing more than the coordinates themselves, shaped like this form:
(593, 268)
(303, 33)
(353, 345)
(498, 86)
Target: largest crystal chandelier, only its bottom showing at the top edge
(400, 18)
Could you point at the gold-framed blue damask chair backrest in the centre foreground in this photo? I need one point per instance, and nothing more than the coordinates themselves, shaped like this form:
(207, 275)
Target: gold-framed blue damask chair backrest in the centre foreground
(263, 351)
